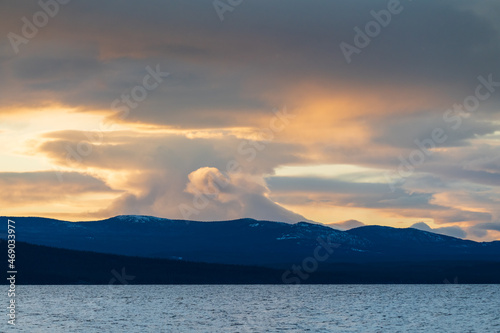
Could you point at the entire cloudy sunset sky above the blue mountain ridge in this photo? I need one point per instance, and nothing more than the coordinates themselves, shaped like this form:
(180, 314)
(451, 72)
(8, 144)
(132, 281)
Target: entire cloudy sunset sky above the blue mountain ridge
(335, 112)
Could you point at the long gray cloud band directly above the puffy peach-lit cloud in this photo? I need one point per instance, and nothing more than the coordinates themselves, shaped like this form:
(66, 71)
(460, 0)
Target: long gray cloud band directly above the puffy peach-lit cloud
(139, 151)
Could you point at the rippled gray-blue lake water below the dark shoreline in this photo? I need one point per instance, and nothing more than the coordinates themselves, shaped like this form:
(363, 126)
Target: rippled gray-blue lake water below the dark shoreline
(258, 308)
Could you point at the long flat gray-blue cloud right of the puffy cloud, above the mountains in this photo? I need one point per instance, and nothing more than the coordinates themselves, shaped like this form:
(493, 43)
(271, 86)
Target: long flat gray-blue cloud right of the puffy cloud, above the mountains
(303, 190)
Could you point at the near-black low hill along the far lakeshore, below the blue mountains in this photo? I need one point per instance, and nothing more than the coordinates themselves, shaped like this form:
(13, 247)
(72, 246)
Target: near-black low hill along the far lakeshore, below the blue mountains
(45, 265)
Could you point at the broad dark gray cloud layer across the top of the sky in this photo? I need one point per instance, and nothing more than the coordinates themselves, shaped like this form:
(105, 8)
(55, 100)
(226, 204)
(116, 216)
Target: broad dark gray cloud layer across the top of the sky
(263, 49)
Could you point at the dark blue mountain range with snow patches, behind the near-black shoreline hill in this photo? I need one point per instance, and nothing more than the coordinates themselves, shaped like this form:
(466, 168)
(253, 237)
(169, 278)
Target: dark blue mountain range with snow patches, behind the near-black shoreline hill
(248, 241)
